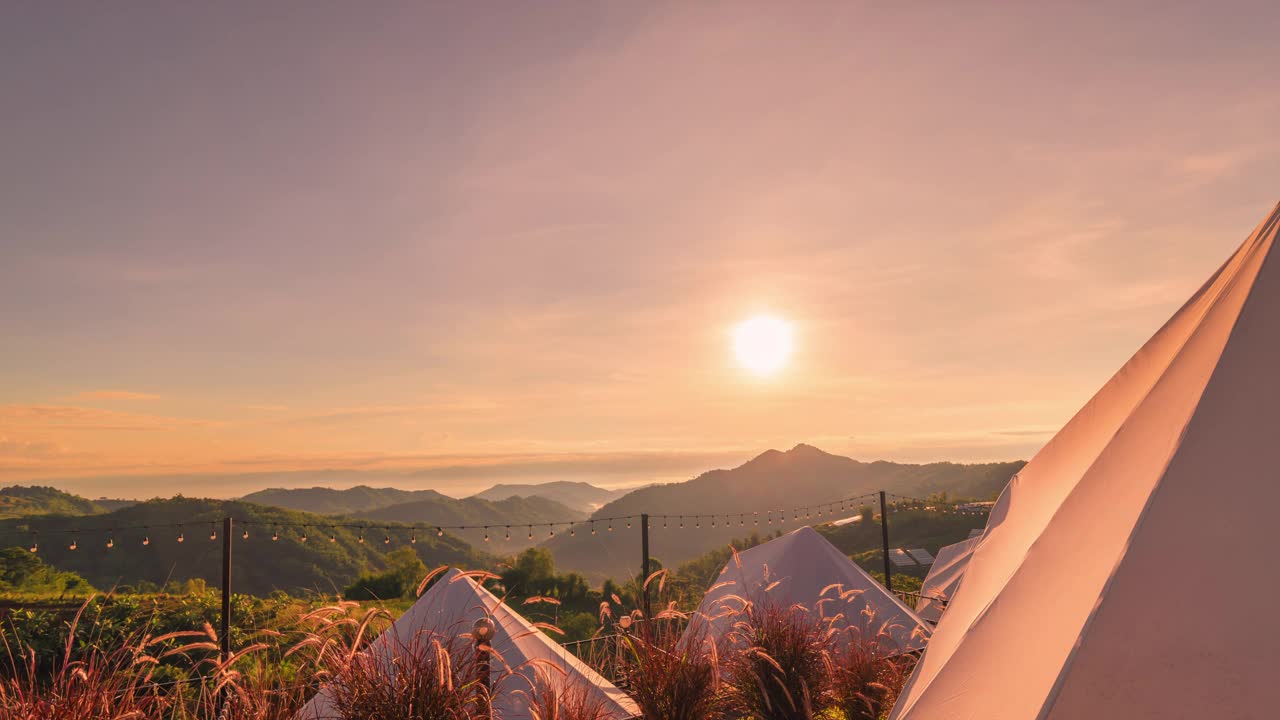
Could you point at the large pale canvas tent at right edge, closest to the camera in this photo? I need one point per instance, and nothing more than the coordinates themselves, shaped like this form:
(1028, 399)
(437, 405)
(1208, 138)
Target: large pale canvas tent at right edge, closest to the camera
(1119, 576)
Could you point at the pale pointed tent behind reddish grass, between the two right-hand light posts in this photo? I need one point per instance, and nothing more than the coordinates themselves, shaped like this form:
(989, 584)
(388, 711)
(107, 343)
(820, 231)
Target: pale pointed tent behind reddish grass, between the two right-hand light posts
(802, 568)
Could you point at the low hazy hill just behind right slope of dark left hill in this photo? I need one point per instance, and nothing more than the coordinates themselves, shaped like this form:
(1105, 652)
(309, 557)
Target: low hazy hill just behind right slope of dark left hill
(514, 513)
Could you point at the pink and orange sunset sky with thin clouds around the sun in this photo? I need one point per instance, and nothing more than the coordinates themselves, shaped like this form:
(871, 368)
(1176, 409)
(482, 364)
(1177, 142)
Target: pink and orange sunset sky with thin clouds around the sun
(446, 245)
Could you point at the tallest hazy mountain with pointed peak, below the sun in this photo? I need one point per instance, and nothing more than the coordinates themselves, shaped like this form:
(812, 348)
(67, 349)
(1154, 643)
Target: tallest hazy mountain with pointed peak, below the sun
(801, 477)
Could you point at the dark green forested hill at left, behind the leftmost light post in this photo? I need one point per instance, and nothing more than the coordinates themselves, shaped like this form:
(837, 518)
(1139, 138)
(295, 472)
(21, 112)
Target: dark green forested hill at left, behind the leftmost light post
(260, 566)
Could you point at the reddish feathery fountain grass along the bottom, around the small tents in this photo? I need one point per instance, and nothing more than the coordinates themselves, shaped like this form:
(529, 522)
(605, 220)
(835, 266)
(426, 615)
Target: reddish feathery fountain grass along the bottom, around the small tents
(776, 664)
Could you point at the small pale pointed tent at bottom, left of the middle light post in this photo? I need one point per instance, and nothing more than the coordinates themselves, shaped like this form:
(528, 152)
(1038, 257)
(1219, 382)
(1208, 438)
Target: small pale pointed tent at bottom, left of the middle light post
(450, 608)
